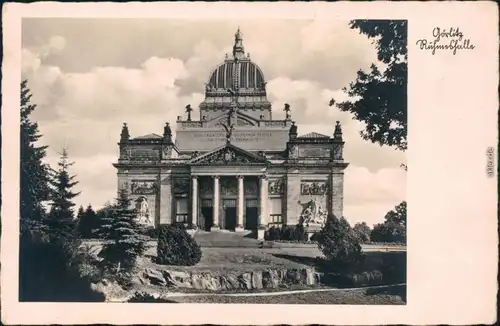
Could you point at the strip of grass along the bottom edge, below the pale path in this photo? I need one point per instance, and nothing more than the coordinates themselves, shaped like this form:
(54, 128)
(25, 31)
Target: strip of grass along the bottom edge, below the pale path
(379, 296)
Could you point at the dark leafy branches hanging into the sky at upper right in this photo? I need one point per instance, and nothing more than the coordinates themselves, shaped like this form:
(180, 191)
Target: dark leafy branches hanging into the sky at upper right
(379, 97)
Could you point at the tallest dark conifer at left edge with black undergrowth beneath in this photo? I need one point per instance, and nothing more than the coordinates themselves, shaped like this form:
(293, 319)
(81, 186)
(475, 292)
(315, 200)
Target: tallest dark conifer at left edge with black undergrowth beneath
(48, 268)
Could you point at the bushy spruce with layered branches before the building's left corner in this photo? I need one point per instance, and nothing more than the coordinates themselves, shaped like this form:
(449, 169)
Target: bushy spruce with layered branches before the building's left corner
(125, 236)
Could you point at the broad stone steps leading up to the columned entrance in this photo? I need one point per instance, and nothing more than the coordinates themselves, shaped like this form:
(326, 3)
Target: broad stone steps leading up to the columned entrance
(226, 239)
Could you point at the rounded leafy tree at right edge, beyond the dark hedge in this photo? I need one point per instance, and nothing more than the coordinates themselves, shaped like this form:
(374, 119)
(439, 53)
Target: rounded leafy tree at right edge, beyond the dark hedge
(393, 229)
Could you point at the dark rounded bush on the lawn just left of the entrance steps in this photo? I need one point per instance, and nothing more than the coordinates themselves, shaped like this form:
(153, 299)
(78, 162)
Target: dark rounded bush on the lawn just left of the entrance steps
(177, 247)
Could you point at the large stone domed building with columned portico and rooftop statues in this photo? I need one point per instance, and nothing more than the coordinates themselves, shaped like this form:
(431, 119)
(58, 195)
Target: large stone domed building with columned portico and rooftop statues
(234, 167)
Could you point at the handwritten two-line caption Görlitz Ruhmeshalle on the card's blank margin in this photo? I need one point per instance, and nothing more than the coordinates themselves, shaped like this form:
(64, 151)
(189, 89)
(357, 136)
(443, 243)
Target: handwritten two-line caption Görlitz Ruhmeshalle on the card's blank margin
(451, 39)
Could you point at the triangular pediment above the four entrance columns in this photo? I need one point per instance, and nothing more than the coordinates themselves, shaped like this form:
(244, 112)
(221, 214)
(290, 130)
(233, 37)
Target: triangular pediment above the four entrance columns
(228, 155)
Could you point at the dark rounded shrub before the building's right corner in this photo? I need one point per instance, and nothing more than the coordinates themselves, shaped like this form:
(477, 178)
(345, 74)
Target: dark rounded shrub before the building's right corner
(339, 243)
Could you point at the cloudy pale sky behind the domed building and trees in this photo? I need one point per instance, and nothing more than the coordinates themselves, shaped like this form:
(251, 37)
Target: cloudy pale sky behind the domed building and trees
(88, 76)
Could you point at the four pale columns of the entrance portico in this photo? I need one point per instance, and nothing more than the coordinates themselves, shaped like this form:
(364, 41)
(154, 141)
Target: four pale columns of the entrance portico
(263, 195)
